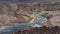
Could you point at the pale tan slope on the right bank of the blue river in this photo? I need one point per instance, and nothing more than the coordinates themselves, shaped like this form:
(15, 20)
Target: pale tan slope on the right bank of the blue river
(53, 17)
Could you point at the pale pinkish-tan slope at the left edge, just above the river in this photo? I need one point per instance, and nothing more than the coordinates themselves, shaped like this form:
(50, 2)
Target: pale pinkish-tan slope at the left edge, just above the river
(6, 19)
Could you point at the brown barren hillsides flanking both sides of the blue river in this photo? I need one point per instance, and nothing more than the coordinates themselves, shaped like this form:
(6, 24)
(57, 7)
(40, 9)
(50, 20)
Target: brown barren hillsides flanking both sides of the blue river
(20, 12)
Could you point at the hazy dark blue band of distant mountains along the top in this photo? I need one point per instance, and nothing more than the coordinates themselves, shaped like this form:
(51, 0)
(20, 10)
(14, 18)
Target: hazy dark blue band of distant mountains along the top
(11, 1)
